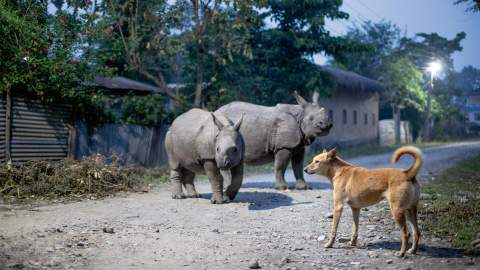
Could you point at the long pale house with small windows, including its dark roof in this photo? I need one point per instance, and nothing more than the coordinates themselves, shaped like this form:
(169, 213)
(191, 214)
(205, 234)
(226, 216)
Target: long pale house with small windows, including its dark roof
(354, 110)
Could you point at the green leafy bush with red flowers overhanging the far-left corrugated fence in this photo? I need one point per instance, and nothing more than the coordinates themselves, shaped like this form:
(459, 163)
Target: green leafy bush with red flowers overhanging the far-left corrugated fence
(47, 56)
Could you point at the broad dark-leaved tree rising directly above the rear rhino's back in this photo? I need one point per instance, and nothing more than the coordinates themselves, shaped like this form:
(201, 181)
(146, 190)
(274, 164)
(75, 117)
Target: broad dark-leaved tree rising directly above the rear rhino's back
(283, 42)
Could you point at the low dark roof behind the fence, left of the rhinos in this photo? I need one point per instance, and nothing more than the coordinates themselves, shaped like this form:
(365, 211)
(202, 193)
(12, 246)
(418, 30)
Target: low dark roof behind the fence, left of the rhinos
(122, 83)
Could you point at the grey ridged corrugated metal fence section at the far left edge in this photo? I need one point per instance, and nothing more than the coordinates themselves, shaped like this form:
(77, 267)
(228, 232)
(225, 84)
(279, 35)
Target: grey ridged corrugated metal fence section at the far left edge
(38, 131)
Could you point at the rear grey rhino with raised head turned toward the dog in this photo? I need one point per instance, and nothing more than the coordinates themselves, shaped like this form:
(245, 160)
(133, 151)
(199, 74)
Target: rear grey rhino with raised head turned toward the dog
(280, 134)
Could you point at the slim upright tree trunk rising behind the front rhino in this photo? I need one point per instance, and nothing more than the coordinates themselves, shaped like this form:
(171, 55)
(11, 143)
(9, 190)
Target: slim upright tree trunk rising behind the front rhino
(199, 51)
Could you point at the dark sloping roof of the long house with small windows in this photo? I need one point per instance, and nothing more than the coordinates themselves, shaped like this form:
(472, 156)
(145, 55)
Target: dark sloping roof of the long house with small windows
(351, 81)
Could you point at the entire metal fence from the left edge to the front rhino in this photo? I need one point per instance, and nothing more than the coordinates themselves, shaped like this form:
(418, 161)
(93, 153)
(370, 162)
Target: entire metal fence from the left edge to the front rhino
(42, 132)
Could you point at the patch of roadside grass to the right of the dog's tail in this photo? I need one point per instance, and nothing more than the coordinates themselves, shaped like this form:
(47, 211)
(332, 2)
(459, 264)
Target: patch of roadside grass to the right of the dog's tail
(453, 209)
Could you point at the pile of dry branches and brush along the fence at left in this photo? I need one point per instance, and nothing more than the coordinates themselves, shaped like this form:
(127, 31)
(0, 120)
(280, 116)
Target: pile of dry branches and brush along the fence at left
(89, 177)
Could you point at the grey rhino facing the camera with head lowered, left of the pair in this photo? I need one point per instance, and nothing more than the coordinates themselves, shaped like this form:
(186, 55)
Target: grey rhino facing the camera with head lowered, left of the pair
(200, 142)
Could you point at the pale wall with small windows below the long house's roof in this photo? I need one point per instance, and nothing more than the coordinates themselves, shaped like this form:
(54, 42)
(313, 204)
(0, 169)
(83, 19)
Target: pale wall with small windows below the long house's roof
(347, 131)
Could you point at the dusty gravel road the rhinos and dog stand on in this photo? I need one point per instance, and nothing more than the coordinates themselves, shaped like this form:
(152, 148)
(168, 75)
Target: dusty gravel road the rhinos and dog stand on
(282, 230)
